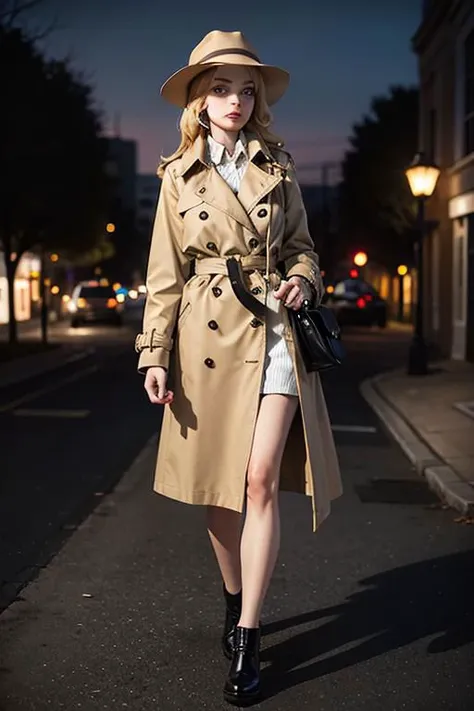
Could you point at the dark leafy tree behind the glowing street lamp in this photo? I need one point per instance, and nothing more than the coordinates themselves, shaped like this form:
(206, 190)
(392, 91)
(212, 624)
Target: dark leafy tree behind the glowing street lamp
(377, 208)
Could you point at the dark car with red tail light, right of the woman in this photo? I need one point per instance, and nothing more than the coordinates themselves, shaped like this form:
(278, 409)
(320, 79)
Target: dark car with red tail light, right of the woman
(357, 303)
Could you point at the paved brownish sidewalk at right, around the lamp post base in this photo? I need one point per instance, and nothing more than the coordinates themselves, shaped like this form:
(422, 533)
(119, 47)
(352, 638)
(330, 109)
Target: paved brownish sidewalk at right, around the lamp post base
(432, 419)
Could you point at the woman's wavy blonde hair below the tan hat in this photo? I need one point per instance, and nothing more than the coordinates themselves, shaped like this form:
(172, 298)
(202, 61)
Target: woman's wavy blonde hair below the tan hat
(259, 122)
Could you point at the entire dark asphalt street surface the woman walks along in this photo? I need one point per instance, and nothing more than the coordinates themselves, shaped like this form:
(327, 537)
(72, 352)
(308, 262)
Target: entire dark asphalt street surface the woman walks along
(373, 612)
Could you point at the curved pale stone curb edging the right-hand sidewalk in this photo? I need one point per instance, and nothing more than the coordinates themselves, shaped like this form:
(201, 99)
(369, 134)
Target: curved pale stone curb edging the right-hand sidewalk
(441, 478)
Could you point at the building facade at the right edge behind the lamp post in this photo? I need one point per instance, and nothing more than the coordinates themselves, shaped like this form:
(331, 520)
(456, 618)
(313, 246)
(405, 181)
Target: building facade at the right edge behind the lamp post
(444, 44)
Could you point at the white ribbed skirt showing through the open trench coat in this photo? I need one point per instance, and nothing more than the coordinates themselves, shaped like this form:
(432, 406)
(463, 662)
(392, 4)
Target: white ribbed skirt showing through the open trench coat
(279, 375)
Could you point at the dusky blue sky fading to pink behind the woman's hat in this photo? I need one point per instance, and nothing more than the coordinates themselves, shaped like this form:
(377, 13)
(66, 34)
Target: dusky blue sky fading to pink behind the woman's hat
(339, 54)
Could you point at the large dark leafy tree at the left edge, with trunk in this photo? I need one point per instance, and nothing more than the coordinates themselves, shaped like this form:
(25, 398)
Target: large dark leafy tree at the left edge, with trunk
(54, 186)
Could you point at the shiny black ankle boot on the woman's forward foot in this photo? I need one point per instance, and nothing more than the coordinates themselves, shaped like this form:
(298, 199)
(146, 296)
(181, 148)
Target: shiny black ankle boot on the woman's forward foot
(242, 686)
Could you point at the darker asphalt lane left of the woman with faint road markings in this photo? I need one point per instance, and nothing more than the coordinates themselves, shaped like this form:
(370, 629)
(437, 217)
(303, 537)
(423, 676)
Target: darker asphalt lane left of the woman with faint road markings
(66, 438)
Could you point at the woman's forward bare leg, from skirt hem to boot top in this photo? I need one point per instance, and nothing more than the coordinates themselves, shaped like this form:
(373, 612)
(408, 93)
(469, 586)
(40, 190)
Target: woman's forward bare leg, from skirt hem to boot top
(261, 534)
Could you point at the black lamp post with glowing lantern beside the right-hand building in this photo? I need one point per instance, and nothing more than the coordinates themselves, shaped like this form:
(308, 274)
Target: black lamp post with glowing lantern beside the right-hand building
(422, 177)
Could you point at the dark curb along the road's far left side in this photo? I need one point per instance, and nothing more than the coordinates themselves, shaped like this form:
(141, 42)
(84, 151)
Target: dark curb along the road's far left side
(17, 371)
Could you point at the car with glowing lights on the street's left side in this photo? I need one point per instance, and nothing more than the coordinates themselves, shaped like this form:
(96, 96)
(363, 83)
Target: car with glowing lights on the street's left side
(92, 302)
